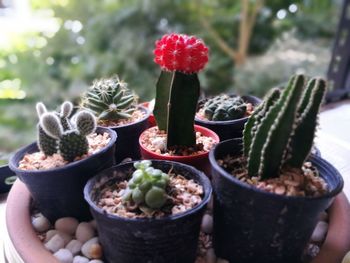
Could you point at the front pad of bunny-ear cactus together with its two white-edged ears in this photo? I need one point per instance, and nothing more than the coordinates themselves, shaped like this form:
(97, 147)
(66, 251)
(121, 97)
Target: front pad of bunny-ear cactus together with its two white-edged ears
(71, 143)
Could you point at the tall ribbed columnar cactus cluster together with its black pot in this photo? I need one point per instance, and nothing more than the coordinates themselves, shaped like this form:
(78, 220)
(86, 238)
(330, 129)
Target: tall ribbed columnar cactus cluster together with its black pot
(268, 190)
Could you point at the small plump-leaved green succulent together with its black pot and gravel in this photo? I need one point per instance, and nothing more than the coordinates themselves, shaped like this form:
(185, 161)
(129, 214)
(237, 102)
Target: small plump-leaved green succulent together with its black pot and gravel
(149, 211)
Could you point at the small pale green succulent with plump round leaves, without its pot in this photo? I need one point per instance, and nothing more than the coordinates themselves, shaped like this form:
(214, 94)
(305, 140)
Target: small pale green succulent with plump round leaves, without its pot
(147, 186)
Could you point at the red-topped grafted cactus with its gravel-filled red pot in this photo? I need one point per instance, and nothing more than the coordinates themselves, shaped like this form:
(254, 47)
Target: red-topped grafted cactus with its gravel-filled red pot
(176, 137)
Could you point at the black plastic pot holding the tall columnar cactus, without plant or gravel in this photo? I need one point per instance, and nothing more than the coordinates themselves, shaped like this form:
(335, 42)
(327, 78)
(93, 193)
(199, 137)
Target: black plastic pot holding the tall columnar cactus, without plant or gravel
(251, 225)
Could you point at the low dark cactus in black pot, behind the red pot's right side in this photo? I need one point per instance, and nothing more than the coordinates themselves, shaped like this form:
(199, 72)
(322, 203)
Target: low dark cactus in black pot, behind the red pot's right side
(226, 114)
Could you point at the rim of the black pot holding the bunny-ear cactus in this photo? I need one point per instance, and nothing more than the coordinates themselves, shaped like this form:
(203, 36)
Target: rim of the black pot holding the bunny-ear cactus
(24, 150)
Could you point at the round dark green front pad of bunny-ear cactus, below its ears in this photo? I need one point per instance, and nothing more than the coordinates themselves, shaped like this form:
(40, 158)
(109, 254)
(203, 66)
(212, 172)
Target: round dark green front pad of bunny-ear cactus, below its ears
(72, 145)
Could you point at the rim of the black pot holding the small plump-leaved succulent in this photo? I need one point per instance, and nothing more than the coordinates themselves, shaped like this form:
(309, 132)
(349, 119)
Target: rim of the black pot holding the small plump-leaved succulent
(207, 195)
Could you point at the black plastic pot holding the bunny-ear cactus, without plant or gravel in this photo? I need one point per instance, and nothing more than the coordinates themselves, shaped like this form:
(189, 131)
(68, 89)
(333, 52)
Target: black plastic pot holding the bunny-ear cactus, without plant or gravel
(59, 192)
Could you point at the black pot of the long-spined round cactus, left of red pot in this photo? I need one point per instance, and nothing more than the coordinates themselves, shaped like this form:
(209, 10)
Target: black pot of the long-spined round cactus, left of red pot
(127, 145)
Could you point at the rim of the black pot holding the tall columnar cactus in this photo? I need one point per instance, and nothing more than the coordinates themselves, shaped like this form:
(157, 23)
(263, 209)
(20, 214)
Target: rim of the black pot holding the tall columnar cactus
(320, 162)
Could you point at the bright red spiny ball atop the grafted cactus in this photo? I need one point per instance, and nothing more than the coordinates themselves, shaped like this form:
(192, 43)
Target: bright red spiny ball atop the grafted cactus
(178, 52)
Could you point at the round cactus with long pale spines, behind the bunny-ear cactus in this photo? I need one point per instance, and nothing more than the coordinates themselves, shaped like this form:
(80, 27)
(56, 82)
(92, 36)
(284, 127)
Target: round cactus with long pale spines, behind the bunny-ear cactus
(110, 99)
